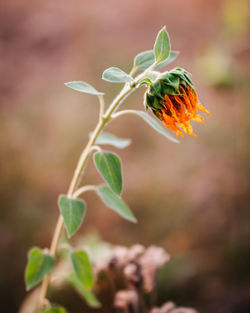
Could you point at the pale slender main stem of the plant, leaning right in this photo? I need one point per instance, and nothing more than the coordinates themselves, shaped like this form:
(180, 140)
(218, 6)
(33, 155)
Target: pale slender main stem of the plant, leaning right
(103, 119)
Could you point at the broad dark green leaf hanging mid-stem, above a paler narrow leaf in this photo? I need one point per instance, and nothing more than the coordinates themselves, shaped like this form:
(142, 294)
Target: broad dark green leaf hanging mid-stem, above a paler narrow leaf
(109, 166)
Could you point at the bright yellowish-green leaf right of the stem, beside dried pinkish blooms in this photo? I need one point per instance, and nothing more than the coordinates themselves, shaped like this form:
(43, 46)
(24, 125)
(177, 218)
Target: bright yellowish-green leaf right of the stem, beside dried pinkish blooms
(83, 268)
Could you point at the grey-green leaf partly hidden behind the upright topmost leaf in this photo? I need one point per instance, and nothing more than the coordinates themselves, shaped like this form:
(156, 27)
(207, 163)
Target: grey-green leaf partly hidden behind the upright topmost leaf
(145, 59)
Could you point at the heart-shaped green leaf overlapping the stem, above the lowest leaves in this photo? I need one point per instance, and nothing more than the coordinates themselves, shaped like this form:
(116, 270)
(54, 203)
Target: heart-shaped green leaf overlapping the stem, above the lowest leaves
(73, 211)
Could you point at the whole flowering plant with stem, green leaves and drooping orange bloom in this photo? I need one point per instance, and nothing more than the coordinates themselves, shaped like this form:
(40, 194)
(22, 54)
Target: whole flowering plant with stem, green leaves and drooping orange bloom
(173, 100)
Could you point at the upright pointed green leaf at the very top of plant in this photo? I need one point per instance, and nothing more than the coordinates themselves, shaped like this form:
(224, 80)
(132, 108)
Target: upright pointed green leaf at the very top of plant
(161, 46)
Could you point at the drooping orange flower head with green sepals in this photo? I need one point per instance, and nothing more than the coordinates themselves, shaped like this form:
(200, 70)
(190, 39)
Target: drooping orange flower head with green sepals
(173, 100)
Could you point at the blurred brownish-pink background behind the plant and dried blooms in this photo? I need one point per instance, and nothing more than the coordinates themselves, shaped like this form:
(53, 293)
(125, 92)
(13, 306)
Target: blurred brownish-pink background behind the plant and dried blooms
(191, 198)
